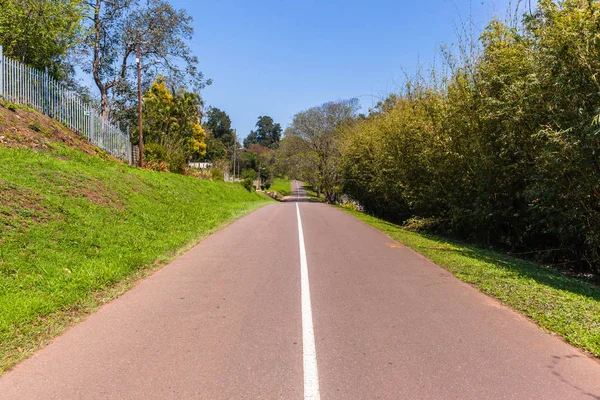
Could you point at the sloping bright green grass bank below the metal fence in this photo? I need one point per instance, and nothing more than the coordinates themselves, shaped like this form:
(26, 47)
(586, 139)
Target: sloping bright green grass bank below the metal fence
(77, 230)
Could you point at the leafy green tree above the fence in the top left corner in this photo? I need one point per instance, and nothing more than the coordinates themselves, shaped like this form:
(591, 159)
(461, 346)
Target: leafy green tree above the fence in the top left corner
(42, 33)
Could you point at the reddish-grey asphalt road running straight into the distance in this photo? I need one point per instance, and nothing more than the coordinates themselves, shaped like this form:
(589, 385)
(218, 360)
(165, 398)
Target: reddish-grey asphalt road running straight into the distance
(336, 310)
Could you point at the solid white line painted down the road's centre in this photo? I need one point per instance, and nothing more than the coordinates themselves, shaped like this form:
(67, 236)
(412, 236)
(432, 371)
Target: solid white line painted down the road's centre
(311, 374)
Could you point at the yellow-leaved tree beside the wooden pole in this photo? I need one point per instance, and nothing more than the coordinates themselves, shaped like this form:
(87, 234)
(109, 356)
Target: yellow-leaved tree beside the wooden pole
(172, 121)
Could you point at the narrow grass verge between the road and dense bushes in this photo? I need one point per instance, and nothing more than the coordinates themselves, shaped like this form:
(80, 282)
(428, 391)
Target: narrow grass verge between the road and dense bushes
(562, 304)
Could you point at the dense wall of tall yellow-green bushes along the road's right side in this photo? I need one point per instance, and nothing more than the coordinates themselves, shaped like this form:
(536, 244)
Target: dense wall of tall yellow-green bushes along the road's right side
(505, 150)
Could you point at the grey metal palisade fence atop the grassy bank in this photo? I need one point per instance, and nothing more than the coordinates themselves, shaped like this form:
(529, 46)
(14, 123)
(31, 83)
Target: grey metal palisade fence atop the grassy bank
(22, 84)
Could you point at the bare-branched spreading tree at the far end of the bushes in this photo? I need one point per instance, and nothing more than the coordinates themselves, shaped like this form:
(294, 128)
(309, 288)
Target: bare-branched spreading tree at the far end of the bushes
(318, 130)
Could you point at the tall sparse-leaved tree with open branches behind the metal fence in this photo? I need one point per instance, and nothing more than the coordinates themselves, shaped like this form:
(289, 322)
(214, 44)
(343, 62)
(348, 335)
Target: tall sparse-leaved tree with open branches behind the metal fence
(117, 26)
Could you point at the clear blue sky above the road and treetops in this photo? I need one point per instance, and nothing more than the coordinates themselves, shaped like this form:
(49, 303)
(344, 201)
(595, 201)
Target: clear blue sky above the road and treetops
(280, 57)
